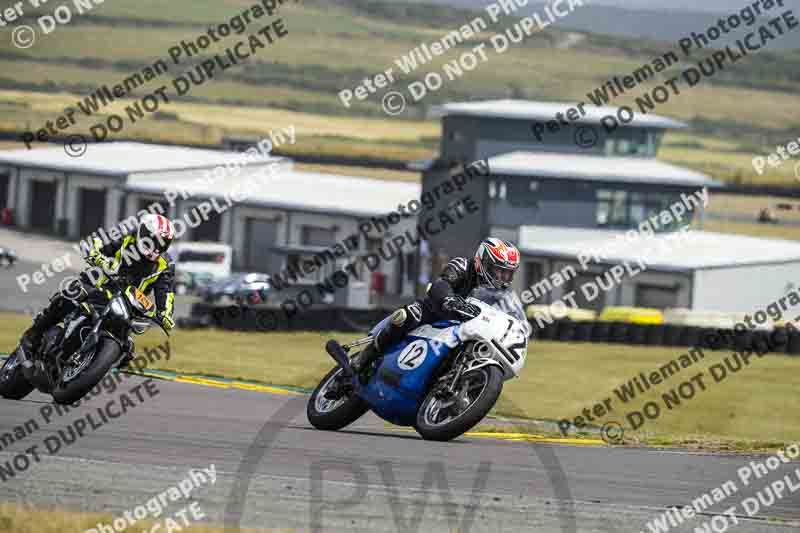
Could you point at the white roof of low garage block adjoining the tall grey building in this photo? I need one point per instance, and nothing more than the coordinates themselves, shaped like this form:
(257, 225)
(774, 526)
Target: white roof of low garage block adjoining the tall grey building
(287, 189)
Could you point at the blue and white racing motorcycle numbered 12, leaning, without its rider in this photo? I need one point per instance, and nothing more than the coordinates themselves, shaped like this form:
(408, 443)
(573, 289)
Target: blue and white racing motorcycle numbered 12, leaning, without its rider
(442, 379)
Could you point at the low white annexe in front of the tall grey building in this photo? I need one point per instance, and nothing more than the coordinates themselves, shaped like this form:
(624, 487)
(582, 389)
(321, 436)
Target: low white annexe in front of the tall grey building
(697, 270)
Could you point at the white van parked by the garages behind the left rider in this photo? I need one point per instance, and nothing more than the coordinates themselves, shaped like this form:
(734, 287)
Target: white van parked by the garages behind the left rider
(201, 260)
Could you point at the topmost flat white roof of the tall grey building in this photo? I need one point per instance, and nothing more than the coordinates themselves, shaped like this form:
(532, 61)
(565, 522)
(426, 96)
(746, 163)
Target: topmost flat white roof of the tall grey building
(544, 111)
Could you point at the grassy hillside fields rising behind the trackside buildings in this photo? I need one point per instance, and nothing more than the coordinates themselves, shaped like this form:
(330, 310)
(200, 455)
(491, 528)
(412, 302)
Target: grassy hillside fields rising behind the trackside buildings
(336, 45)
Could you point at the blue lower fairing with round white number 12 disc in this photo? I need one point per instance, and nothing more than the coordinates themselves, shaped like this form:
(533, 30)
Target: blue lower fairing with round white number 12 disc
(397, 389)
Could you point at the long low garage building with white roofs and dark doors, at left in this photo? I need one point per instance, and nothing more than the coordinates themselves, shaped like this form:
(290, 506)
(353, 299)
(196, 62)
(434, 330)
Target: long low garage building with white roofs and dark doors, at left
(272, 215)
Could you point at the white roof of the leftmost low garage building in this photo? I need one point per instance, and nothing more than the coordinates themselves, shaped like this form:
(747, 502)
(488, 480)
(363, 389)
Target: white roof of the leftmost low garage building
(118, 158)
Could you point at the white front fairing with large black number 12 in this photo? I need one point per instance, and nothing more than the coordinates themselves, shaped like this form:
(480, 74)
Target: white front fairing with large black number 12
(496, 328)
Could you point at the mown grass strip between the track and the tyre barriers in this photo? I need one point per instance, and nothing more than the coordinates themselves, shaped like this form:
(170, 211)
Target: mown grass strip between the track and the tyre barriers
(756, 406)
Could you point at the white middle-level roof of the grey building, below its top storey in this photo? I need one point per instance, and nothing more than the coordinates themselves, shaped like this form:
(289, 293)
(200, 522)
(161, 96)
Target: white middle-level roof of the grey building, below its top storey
(597, 168)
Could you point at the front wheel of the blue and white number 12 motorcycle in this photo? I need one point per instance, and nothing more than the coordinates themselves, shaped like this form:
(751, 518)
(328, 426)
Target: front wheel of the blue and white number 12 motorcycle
(445, 418)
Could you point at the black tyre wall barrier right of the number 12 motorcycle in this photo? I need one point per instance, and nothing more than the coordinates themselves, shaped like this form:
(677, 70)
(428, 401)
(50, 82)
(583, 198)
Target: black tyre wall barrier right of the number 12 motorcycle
(780, 340)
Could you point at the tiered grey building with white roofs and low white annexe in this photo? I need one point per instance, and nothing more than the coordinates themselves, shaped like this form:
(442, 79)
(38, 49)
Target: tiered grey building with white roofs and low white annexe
(559, 187)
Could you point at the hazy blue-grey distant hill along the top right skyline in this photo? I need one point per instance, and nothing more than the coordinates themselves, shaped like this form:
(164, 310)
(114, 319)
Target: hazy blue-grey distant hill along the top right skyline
(649, 19)
